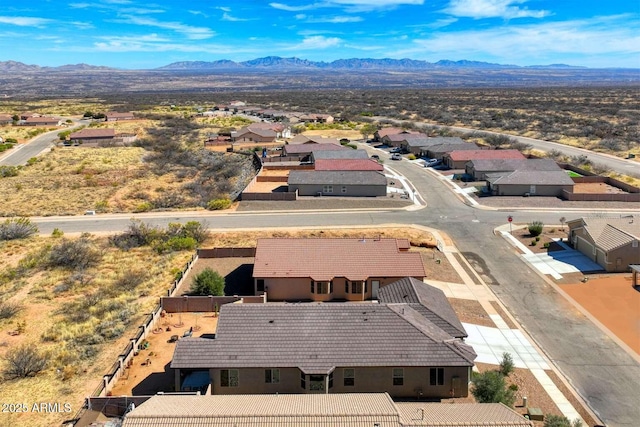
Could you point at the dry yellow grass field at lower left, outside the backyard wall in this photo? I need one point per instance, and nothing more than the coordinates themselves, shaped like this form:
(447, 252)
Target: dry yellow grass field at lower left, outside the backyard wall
(46, 310)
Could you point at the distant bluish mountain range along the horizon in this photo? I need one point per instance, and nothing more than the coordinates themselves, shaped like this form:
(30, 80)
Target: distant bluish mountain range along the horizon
(276, 62)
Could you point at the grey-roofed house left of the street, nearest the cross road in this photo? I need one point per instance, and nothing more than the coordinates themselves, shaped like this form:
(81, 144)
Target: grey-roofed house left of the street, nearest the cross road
(348, 183)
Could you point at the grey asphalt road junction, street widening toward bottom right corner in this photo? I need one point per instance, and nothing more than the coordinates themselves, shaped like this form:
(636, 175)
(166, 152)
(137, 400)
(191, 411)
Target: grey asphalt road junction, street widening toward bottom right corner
(602, 373)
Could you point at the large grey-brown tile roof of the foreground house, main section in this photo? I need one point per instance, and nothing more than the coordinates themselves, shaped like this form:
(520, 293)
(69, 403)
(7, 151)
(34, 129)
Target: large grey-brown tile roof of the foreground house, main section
(286, 335)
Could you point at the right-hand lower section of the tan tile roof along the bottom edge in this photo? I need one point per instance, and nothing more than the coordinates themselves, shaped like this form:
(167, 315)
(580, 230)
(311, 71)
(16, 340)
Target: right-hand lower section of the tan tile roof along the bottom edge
(415, 414)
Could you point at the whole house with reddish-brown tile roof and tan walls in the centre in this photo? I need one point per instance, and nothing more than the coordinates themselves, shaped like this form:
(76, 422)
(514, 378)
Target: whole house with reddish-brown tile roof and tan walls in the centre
(343, 269)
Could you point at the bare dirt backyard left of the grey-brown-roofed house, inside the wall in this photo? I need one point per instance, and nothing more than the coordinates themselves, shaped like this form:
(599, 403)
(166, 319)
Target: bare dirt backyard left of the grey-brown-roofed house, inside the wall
(149, 371)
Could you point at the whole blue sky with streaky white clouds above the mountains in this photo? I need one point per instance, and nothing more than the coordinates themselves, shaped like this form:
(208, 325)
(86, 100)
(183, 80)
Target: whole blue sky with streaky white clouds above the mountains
(137, 34)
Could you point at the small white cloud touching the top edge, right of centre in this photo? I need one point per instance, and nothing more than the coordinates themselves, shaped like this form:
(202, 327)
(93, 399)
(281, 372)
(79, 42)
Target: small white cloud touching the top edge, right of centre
(506, 9)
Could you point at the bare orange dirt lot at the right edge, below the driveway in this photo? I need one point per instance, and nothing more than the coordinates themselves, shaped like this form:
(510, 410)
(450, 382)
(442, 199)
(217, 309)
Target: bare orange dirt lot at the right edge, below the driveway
(614, 302)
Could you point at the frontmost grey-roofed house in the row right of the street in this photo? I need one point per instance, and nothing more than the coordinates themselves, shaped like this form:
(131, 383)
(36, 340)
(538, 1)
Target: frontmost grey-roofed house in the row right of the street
(529, 183)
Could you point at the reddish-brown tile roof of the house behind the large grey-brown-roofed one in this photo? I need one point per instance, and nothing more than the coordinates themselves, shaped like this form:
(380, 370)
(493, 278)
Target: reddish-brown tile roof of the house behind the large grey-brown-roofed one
(355, 259)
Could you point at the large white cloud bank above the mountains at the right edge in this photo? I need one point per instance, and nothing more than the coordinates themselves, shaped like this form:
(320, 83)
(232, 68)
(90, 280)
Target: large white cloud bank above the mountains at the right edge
(533, 43)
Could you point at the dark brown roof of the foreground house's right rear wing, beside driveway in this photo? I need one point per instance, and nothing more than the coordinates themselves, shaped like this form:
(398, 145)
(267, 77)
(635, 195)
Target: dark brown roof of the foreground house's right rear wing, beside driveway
(428, 300)
